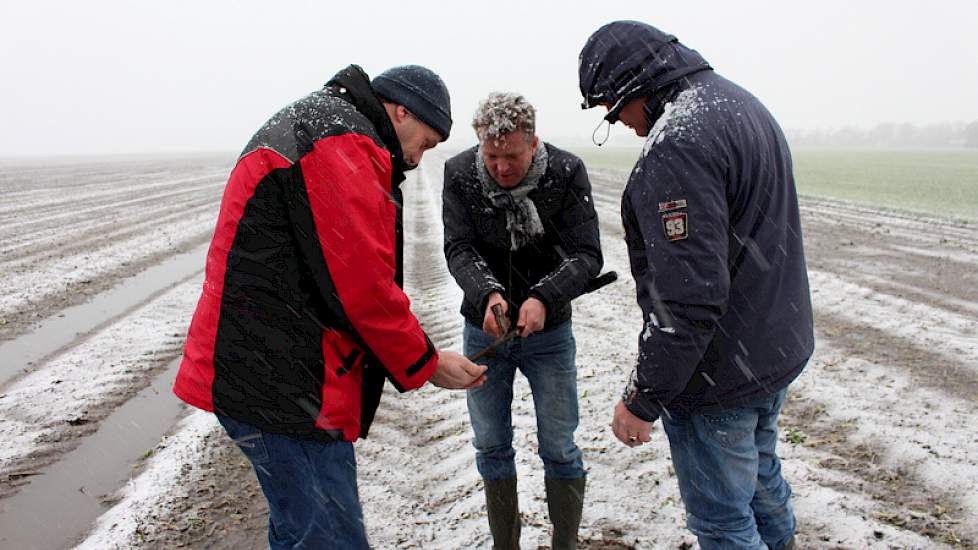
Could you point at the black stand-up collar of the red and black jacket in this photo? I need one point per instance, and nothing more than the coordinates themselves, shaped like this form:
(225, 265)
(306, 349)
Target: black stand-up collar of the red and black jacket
(353, 85)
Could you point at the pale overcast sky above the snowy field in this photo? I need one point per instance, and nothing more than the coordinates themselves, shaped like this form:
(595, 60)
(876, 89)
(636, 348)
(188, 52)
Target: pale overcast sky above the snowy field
(122, 77)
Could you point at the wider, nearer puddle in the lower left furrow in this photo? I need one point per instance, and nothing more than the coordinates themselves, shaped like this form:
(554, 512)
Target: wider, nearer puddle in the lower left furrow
(59, 505)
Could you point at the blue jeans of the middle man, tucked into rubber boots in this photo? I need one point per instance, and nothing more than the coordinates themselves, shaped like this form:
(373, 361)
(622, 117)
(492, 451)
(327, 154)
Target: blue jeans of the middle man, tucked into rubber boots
(547, 360)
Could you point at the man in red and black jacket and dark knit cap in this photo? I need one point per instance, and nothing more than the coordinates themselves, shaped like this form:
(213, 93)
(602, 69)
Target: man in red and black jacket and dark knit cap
(302, 316)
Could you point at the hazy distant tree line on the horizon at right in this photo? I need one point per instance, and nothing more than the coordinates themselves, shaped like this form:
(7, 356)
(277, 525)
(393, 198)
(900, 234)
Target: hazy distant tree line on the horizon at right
(890, 135)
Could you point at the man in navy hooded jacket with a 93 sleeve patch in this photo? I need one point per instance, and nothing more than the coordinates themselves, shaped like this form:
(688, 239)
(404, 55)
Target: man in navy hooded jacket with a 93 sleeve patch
(712, 227)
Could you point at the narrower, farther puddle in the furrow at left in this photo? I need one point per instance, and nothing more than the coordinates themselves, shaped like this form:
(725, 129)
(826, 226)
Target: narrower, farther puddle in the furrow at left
(26, 352)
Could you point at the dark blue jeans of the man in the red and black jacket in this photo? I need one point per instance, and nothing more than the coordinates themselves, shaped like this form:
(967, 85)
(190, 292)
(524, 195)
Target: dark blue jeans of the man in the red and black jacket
(311, 488)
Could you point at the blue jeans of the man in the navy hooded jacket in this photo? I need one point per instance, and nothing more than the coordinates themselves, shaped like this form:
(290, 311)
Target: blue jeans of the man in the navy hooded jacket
(730, 477)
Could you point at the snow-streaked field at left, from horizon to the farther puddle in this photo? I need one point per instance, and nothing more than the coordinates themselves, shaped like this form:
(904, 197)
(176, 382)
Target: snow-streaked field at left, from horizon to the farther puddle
(69, 230)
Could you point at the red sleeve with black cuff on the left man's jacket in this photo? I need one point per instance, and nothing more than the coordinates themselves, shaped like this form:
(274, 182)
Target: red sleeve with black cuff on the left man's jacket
(347, 179)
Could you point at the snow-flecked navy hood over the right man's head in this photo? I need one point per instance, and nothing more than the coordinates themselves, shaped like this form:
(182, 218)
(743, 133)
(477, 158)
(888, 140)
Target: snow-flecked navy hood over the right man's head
(628, 59)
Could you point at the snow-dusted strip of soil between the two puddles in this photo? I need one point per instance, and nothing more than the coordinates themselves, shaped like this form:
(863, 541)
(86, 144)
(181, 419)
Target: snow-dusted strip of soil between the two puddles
(87, 381)
